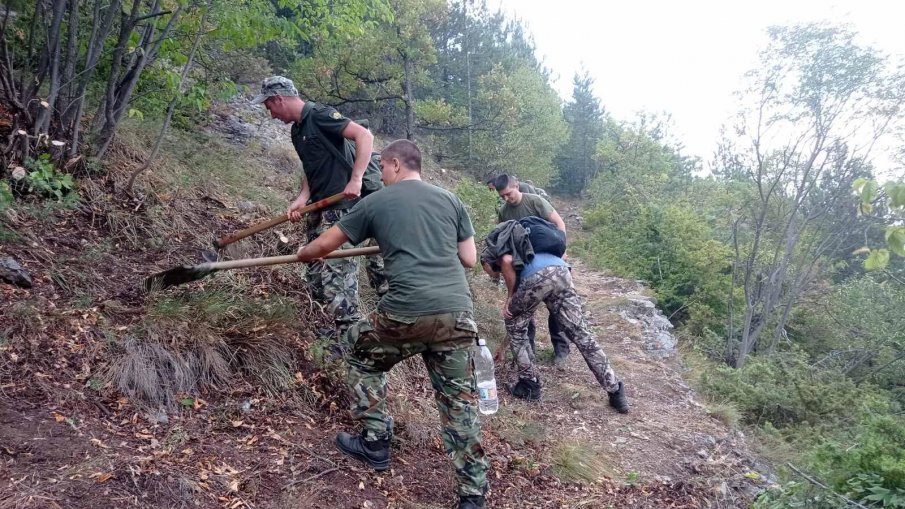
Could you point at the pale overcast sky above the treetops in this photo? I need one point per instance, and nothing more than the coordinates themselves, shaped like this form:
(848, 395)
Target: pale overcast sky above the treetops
(681, 57)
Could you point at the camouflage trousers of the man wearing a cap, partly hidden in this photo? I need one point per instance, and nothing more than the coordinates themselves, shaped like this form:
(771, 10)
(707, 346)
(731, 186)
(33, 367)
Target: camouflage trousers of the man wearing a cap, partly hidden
(334, 283)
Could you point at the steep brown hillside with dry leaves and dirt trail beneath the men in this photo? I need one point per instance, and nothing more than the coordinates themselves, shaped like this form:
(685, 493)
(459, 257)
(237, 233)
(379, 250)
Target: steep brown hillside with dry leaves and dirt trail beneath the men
(216, 394)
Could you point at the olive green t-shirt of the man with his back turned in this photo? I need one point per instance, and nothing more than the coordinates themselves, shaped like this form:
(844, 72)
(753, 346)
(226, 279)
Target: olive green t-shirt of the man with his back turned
(418, 227)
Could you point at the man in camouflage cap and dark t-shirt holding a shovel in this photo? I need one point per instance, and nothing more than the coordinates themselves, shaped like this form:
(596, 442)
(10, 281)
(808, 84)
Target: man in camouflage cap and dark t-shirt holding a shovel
(333, 283)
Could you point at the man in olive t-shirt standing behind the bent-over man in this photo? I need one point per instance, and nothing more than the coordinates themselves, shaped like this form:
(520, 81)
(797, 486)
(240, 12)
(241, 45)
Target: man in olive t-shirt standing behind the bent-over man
(519, 204)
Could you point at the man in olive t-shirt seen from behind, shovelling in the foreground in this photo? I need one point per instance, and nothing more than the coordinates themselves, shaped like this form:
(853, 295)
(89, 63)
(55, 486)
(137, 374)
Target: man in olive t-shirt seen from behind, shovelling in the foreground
(426, 238)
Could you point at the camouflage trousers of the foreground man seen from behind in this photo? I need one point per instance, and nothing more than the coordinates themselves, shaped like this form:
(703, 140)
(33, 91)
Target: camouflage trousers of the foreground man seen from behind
(444, 342)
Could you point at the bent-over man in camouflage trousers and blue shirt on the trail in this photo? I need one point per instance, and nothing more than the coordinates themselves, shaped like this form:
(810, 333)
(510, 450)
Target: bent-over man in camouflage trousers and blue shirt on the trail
(546, 278)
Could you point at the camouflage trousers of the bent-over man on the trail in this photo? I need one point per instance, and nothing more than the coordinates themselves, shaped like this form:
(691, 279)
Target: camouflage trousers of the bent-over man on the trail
(553, 287)
